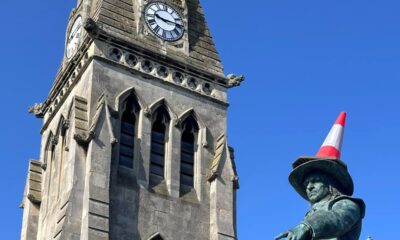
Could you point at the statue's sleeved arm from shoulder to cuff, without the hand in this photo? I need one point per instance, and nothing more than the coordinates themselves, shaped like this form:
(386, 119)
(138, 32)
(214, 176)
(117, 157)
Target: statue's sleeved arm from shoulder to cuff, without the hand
(335, 222)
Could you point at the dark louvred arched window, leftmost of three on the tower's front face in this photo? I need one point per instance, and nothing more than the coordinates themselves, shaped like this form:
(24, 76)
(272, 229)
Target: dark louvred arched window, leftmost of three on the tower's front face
(130, 110)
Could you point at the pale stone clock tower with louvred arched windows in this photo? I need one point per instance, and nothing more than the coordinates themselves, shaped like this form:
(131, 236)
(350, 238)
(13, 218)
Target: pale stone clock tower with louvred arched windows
(134, 141)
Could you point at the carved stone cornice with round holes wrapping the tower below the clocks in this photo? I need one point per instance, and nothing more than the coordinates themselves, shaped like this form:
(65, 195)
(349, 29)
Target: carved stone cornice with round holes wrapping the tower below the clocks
(136, 59)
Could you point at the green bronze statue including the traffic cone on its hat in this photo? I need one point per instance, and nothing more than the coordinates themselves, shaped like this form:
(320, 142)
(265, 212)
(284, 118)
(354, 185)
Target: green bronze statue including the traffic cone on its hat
(325, 182)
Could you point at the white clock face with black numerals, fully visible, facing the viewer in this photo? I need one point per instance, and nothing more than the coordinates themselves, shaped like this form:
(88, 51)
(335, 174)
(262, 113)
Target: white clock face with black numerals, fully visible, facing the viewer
(164, 21)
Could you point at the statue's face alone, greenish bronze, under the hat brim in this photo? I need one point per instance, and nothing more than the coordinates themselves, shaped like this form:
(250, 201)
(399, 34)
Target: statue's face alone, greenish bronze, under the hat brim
(317, 187)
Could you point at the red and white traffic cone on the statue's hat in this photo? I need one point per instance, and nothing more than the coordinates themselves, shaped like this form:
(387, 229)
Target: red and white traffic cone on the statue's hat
(332, 146)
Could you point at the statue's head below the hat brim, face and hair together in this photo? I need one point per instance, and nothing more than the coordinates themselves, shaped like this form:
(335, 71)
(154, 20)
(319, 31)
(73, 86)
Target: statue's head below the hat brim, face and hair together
(319, 186)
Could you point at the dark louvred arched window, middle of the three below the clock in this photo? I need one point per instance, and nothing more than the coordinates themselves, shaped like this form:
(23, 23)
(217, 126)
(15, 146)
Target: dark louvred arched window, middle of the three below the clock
(159, 131)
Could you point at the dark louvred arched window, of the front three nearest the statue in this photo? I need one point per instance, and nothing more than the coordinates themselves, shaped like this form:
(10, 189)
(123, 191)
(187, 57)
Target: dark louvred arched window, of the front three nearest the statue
(190, 130)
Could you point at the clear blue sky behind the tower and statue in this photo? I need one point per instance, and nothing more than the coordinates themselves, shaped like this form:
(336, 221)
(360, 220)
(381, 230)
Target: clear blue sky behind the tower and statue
(305, 61)
